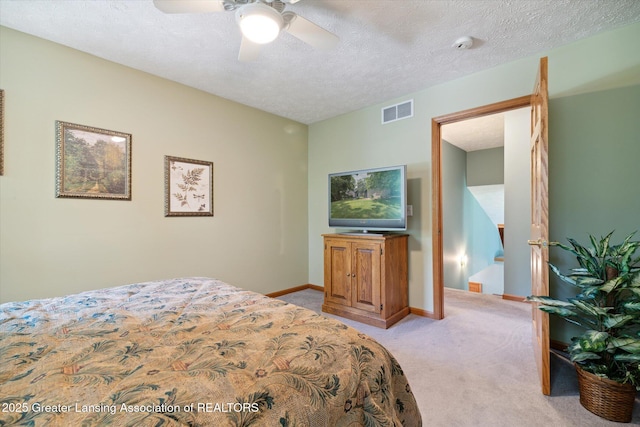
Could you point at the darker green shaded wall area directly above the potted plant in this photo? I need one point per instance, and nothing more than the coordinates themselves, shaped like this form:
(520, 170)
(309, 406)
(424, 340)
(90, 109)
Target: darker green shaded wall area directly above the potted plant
(594, 174)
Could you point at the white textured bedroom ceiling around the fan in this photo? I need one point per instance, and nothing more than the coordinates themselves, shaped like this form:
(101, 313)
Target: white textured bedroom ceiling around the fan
(387, 49)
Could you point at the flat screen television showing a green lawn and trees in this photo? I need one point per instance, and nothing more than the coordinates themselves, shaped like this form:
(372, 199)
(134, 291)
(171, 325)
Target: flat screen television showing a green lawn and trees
(369, 199)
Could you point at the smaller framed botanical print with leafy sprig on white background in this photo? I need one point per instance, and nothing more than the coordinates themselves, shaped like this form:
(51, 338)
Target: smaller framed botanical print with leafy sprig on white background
(188, 187)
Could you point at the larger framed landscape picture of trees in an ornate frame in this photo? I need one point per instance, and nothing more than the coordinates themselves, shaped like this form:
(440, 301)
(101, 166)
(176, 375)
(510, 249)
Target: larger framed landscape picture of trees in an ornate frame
(92, 163)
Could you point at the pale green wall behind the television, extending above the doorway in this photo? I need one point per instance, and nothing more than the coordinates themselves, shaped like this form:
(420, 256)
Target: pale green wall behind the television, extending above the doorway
(358, 139)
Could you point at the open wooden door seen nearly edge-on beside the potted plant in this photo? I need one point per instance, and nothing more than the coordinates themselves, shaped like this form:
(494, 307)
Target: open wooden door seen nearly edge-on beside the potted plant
(540, 222)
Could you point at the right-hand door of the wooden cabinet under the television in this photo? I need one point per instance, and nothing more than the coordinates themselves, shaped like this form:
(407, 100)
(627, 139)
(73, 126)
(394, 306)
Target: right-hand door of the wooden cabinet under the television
(365, 276)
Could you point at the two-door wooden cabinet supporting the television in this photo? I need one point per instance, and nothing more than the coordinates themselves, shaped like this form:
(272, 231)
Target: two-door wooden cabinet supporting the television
(366, 277)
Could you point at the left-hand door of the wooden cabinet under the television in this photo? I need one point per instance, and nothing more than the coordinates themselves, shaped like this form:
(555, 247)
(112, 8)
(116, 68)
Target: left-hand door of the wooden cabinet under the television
(337, 272)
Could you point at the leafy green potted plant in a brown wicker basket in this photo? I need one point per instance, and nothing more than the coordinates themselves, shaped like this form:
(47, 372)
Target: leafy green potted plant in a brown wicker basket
(607, 307)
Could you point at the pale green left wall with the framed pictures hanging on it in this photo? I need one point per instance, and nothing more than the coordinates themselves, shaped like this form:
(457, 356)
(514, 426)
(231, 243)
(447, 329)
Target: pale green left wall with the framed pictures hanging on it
(51, 246)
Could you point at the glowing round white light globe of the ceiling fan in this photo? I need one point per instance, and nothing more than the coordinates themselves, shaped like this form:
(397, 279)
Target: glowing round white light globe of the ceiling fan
(259, 23)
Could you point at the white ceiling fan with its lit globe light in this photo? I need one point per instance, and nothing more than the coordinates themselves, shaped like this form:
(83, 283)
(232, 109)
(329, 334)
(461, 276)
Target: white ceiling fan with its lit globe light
(260, 21)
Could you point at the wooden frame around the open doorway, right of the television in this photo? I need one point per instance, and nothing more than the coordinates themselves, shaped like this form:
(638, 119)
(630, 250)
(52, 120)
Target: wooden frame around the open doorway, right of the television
(436, 185)
